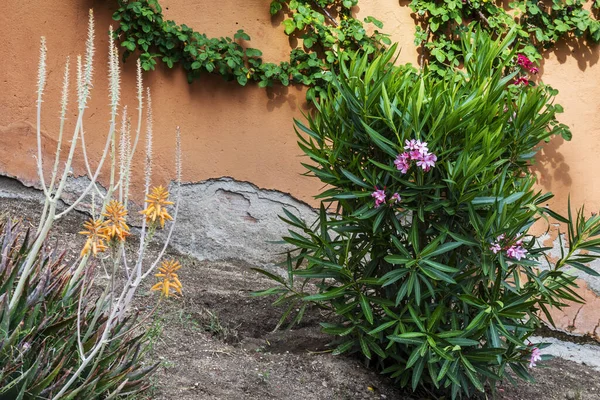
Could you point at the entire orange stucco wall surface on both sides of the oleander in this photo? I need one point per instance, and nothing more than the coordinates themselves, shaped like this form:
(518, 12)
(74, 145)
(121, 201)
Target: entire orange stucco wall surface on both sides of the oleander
(244, 132)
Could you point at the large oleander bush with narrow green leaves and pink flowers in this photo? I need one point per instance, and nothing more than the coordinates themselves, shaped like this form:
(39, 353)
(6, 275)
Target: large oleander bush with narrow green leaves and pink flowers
(442, 285)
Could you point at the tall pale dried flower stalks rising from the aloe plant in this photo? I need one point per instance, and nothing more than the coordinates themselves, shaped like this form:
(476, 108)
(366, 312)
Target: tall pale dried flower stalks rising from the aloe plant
(116, 301)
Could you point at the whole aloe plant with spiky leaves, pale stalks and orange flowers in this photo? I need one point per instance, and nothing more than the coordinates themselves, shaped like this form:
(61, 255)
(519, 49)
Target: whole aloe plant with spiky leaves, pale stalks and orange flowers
(58, 340)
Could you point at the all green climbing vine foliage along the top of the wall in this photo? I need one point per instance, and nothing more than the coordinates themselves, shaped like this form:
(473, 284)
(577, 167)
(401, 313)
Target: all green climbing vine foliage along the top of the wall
(327, 30)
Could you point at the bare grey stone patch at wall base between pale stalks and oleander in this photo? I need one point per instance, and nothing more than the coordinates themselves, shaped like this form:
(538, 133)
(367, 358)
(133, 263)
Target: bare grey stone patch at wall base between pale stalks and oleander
(227, 219)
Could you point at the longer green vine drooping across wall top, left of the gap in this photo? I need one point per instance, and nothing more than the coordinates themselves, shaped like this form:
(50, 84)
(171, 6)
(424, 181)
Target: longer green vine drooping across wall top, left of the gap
(143, 28)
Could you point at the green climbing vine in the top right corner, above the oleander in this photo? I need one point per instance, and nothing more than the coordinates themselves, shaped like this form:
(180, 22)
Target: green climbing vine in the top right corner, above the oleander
(538, 24)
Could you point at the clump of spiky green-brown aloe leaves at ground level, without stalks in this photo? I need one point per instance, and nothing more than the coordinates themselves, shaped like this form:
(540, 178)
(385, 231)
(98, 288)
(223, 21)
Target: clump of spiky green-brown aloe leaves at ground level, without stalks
(39, 337)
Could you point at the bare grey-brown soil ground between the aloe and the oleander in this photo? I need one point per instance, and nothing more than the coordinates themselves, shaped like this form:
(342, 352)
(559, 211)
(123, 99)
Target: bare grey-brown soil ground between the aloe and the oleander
(217, 342)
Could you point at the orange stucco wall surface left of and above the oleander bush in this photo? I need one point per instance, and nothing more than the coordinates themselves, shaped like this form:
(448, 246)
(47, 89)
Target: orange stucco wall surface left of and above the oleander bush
(228, 130)
